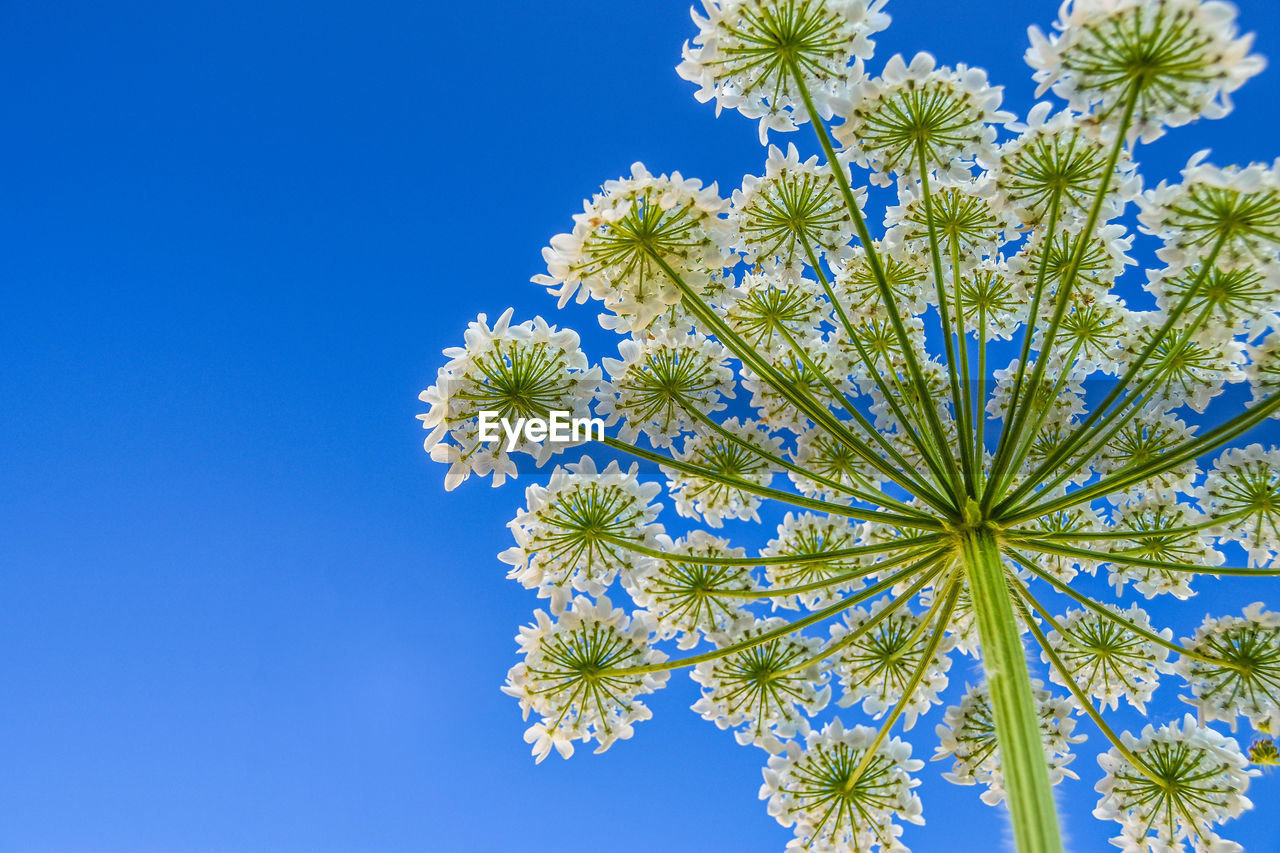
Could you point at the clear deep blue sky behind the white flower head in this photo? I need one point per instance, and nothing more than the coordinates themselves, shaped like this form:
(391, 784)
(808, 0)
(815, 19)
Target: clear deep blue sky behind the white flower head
(241, 614)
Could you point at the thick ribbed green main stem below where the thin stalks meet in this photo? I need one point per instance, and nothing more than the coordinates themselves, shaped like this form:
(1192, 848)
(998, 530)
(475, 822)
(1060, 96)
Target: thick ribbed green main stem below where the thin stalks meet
(1013, 700)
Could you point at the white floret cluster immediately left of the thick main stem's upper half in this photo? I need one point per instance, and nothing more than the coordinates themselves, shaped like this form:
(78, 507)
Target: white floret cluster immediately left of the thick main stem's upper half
(877, 667)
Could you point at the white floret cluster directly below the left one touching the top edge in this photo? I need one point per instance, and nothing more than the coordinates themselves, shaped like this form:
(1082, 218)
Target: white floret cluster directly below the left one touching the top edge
(793, 216)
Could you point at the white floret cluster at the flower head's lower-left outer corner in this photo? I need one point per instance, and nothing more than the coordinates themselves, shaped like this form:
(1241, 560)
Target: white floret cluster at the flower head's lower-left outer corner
(573, 676)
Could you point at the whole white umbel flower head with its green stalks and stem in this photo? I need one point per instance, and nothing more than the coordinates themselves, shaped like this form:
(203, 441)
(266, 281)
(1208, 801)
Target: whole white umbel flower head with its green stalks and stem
(959, 419)
